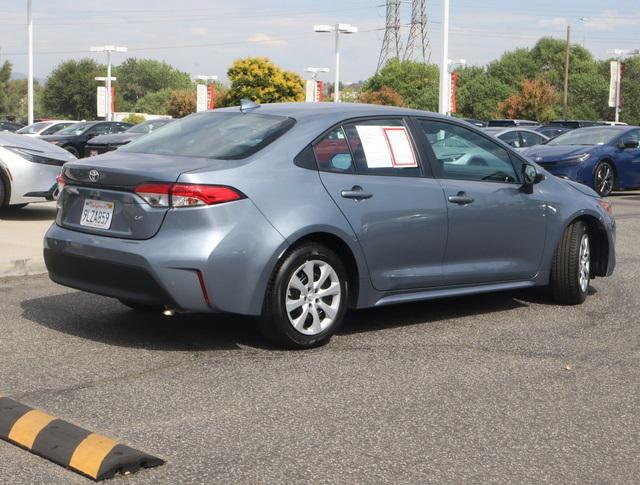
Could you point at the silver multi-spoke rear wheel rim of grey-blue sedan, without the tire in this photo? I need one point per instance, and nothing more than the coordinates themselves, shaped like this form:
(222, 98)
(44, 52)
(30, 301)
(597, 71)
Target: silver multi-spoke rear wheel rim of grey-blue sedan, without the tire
(313, 297)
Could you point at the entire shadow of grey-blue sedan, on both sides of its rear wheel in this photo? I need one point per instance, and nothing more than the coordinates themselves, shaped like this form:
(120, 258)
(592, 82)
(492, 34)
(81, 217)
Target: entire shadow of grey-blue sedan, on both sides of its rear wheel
(106, 321)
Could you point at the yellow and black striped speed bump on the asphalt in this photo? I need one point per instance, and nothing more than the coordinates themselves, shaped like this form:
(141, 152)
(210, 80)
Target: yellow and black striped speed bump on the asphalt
(90, 454)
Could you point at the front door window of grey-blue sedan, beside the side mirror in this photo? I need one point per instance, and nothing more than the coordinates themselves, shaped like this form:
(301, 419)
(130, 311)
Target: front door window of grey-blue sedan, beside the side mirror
(463, 154)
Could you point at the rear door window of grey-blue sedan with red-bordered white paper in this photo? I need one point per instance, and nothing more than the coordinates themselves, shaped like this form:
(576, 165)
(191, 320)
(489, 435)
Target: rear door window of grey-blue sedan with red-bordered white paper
(382, 147)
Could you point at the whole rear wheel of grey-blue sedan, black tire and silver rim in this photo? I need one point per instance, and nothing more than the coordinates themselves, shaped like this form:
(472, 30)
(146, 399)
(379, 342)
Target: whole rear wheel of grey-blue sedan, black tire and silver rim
(306, 298)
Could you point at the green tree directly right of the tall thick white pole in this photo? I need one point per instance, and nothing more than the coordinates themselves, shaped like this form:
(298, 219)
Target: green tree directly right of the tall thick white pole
(479, 94)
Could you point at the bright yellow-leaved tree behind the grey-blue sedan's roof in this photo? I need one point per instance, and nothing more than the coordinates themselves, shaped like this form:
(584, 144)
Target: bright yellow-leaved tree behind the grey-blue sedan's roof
(262, 81)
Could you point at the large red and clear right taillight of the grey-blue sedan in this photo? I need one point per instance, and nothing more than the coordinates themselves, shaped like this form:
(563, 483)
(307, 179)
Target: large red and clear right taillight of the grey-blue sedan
(185, 195)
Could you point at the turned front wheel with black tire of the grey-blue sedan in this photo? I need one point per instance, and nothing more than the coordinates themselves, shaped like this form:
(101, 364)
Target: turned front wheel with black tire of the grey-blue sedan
(570, 270)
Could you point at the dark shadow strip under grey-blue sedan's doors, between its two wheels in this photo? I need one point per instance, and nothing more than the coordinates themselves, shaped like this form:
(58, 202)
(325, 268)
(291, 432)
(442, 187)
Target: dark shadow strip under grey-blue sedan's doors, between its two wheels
(430, 312)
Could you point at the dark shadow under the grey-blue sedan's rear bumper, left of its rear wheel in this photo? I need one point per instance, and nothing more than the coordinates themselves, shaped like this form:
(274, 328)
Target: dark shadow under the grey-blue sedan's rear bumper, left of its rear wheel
(107, 321)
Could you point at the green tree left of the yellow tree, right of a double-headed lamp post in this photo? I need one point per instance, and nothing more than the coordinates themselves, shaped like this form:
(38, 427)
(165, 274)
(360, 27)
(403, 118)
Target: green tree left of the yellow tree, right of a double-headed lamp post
(139, 77)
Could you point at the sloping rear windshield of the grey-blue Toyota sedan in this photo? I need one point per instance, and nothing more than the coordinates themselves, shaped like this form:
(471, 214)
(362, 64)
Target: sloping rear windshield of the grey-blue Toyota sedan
(228, 136)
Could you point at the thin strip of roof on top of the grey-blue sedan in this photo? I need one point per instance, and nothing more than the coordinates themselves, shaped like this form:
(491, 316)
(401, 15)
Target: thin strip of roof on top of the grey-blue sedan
(304, 110)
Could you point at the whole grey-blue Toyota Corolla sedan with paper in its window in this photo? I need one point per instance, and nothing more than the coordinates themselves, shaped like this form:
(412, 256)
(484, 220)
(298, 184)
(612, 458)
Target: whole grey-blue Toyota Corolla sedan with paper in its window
(297, 212)
